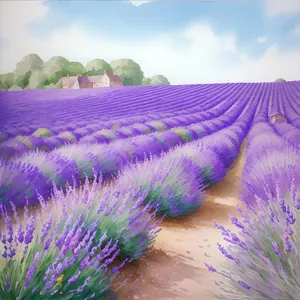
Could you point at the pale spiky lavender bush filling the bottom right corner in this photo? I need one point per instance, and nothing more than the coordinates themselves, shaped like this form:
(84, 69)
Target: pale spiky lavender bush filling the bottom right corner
(263, 257)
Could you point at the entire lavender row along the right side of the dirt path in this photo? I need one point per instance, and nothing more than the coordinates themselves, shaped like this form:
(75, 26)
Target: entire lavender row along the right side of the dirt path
(263, 256)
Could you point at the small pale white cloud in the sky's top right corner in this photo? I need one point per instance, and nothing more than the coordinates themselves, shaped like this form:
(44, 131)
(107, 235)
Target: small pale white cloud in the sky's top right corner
(282, 7)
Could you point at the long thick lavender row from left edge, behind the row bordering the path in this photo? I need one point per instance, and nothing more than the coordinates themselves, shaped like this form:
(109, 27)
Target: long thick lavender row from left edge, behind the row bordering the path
(38, 170)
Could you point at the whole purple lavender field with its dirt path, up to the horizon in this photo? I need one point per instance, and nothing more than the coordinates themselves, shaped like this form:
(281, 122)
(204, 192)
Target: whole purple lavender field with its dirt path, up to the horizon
(95, 184)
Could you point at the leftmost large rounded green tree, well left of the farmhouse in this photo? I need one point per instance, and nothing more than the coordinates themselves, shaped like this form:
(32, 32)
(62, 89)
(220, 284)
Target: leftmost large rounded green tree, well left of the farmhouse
(24, 68)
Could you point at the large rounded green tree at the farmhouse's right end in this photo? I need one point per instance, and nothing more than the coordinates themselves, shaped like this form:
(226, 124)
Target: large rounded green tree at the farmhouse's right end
(129, 71)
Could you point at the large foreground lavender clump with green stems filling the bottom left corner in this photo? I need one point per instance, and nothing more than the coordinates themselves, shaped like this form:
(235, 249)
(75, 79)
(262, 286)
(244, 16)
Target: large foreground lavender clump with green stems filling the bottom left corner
(70, 252)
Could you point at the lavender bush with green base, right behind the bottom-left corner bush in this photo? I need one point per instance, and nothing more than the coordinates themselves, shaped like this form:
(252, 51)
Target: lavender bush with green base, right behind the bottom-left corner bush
(118, 212)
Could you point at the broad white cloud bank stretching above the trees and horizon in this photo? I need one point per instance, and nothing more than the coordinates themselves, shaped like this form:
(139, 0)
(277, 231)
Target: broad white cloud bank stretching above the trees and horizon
(194, 55)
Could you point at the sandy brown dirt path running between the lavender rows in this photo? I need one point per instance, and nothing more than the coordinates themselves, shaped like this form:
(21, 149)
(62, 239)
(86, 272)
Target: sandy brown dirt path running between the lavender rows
(175, 269)
